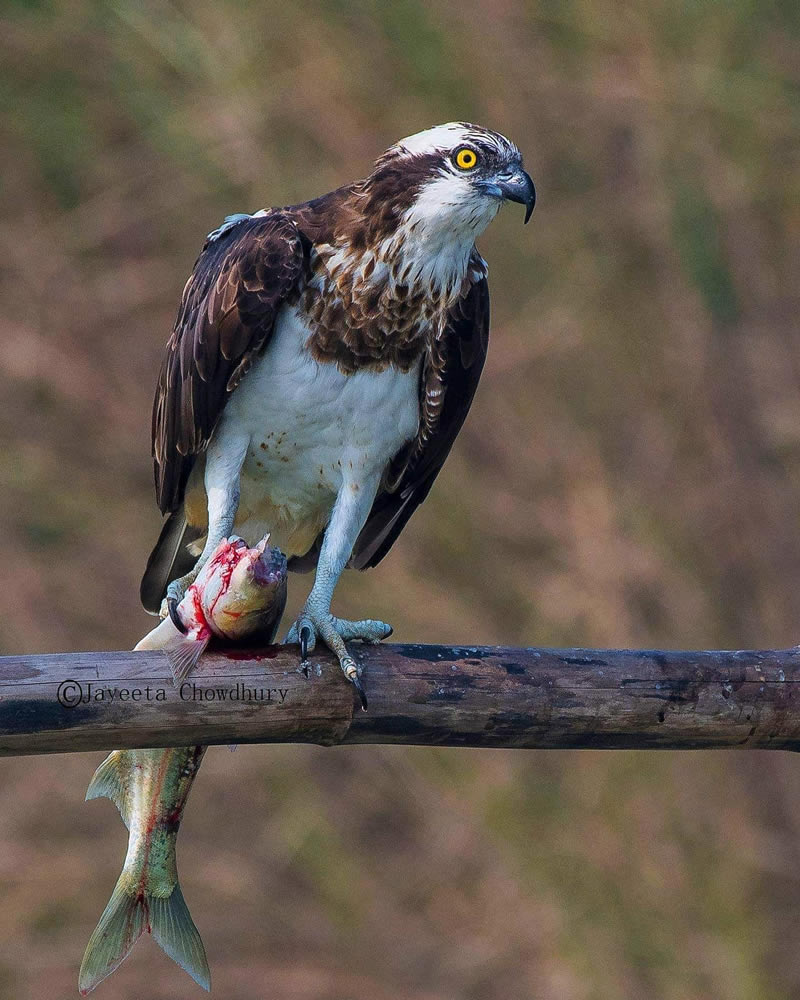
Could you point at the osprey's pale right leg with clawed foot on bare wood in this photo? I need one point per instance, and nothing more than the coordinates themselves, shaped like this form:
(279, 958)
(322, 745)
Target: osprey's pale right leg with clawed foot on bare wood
(315, 621)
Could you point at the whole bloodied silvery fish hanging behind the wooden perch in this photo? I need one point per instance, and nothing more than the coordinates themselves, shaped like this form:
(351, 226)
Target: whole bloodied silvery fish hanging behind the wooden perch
(242, 596)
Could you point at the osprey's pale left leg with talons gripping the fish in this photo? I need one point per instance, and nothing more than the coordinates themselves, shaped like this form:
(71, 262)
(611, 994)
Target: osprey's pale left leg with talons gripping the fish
(224, 459)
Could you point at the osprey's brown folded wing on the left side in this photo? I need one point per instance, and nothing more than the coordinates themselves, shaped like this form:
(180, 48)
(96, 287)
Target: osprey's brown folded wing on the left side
(226, 318)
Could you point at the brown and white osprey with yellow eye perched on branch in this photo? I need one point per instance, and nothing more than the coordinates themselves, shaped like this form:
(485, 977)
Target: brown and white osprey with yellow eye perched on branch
(323, 360)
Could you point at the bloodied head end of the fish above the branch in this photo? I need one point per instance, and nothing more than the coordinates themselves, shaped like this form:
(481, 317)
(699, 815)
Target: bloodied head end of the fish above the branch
(239, 593)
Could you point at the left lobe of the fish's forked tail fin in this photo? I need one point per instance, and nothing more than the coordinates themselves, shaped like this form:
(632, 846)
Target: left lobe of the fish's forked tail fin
(122, 923)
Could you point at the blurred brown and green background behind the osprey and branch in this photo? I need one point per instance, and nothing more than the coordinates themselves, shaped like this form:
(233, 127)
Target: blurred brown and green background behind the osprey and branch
(629, 475)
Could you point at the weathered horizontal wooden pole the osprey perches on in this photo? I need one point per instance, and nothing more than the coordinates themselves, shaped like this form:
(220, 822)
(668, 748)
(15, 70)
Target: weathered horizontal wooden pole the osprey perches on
(434, 695)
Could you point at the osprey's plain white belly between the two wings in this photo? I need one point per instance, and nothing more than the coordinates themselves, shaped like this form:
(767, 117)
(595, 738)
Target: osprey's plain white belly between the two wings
(307, 430)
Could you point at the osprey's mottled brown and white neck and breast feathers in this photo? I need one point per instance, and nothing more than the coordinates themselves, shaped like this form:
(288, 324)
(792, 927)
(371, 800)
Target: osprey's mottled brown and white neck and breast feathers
(384, 280)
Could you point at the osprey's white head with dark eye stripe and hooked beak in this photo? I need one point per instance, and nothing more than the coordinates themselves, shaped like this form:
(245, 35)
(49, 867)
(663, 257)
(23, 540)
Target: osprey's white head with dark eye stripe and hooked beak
(456, 177)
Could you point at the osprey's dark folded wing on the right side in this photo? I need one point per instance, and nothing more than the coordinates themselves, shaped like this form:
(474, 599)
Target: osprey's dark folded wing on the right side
(448, 382)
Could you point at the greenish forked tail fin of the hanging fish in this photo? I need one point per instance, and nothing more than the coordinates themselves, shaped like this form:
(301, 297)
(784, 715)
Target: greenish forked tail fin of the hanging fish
(126, 917)
